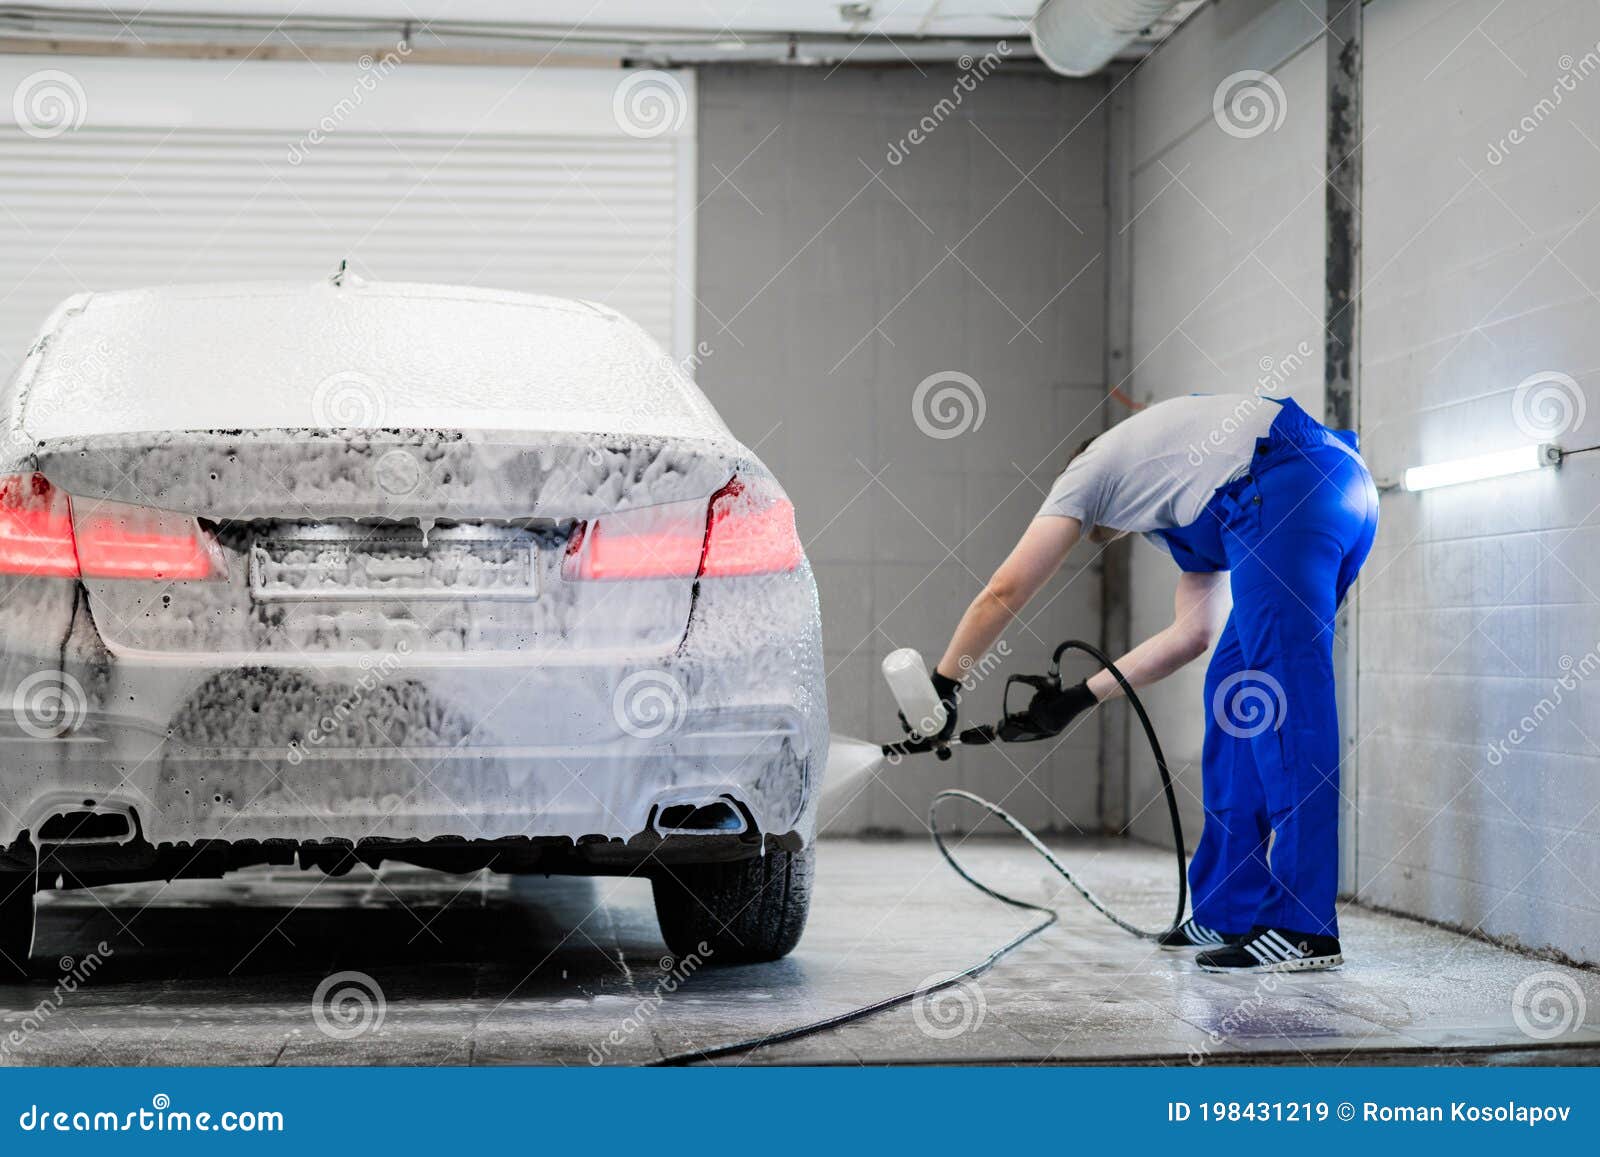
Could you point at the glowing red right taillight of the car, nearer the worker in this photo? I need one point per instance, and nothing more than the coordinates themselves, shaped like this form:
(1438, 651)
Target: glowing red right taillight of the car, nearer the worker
(748, 529)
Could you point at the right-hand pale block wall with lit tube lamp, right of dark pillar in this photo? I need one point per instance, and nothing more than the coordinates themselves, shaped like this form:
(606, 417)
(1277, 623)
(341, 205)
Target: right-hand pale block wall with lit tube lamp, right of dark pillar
(1479, 614)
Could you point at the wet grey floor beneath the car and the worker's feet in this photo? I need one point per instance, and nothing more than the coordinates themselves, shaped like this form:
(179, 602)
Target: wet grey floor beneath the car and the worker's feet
(410, 967)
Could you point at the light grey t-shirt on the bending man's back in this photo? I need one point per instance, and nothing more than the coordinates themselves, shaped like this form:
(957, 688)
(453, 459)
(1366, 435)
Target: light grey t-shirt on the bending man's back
(1159, 468)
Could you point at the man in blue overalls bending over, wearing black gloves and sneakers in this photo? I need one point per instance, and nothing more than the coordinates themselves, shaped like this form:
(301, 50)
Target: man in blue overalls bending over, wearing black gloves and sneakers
(1252, 495)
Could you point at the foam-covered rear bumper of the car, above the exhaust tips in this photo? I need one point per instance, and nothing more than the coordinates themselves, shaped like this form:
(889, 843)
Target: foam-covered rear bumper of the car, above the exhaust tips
(351, 755)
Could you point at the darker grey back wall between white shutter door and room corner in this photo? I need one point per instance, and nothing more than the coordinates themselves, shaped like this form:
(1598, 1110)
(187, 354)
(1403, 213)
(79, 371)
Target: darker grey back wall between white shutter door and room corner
(831, 284)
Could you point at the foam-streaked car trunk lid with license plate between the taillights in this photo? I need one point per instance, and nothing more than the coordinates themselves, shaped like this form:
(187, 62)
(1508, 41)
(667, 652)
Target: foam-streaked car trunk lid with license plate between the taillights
(338, 543)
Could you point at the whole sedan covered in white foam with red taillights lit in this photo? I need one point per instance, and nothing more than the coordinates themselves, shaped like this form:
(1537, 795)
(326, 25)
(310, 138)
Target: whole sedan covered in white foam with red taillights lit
(348, 574)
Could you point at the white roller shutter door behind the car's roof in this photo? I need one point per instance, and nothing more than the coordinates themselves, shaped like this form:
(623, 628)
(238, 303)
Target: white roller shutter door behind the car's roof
(548, 180)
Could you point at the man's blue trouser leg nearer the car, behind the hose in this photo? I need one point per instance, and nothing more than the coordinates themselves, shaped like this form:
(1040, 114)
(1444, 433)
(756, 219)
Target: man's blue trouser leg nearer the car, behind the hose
(1228, 876)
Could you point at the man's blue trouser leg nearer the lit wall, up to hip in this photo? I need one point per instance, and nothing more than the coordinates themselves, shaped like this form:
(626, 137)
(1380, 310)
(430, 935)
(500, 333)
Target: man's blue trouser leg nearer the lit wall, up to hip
(1292, 551)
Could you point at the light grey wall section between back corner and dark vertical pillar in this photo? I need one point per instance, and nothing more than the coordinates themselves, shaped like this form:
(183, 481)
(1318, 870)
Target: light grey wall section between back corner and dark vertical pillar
(1226, 265)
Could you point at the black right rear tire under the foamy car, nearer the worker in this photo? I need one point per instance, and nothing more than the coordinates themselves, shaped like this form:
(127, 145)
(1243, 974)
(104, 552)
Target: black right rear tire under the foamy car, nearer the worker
(746, 911)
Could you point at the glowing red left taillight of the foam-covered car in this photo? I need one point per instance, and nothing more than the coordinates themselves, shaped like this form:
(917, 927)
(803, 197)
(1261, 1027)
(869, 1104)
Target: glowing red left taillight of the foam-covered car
(113, 540)
